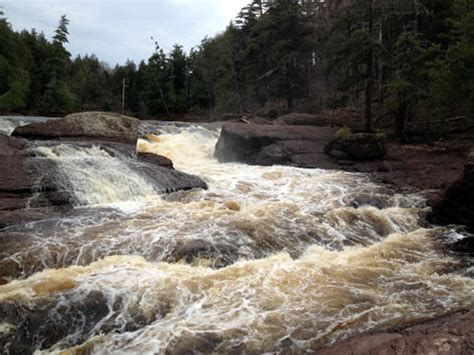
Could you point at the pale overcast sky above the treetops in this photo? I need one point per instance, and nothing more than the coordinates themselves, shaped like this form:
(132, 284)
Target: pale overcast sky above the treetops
(117, 30)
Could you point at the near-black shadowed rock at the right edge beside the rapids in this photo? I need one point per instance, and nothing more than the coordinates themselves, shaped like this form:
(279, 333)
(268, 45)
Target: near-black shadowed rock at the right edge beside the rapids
(456, 206)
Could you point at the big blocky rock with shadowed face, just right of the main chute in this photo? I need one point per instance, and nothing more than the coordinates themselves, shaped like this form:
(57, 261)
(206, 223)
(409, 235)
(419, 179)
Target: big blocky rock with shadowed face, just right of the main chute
(268, 145)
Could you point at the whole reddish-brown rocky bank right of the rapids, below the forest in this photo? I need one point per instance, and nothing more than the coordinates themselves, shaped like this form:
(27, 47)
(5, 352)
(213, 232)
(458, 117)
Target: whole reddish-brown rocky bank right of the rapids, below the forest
(431, 166)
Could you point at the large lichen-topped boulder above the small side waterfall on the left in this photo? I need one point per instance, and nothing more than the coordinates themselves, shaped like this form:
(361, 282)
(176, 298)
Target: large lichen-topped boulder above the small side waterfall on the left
(106, 127)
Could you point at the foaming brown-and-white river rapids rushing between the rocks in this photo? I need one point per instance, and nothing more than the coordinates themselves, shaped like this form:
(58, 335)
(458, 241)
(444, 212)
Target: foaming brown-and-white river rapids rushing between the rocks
(268, 260)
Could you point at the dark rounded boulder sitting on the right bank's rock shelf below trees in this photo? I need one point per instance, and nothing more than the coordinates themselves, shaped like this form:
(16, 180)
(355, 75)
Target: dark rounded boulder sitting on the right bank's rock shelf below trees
(358, 147)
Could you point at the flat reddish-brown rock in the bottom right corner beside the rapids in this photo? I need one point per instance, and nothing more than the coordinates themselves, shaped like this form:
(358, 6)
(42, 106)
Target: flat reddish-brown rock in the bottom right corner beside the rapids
(453, 334)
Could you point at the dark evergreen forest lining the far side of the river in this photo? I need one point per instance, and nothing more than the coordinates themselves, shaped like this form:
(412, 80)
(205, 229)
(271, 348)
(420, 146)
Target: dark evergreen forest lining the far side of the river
(402, 59)
